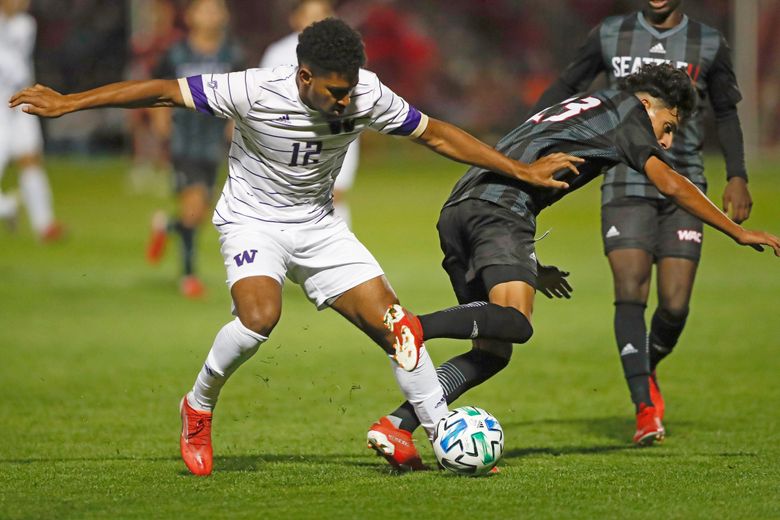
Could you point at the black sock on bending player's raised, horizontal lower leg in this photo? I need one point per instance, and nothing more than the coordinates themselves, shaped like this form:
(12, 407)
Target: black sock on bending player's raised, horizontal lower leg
(477, 320)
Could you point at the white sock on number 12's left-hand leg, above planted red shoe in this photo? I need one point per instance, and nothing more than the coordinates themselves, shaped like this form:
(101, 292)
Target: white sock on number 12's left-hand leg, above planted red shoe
(233, 345)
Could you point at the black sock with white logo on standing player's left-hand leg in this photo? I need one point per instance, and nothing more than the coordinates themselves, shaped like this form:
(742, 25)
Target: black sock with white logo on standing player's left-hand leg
(631, 335)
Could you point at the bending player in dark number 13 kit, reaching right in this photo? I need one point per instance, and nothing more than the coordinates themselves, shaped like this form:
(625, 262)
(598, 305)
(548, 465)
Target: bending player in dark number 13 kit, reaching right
(487, 229)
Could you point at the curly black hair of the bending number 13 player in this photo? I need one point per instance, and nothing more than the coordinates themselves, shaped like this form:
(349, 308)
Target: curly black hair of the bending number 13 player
(665, 82)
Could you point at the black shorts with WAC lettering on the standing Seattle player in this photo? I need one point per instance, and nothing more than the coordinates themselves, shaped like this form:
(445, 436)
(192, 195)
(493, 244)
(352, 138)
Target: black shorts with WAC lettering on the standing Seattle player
(658, 226)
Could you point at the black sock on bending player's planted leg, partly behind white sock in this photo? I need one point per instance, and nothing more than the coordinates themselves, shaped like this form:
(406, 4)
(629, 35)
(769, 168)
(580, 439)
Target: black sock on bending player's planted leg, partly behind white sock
(456, 376)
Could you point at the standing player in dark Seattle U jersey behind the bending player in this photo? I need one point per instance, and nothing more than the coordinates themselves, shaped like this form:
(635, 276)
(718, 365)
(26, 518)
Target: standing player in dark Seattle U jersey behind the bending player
(639, 226)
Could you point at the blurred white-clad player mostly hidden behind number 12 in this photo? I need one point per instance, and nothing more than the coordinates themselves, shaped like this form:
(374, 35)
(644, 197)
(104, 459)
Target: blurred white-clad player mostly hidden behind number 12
(282, 52)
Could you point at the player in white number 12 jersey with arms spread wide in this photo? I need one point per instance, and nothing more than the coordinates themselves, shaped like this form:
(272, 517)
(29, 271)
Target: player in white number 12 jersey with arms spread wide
(275, 216)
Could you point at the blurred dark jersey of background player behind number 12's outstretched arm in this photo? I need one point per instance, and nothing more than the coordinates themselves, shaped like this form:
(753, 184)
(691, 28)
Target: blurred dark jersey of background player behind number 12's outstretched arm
(195, 136)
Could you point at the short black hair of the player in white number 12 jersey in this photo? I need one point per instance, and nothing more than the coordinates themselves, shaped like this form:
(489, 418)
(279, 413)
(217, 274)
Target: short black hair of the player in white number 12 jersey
(331, 46)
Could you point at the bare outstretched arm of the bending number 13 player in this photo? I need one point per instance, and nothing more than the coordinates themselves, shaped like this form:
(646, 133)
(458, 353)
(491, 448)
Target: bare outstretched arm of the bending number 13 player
(688, 196)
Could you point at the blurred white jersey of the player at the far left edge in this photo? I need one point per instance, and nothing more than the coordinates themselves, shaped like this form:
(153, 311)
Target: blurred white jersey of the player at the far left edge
(17, 42)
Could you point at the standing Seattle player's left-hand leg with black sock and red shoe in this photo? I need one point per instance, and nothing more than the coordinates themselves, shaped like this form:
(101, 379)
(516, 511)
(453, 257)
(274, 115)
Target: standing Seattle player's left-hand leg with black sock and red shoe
(632, 271)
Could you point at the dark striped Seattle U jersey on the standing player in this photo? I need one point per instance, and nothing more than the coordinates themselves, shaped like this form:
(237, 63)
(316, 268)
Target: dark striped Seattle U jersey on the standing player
(618, 47)
